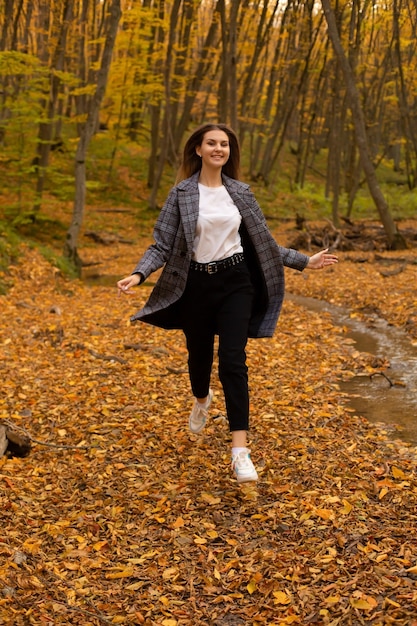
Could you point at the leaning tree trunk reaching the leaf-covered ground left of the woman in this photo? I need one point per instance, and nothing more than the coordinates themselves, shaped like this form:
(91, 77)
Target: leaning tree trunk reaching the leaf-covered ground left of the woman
(70, 248)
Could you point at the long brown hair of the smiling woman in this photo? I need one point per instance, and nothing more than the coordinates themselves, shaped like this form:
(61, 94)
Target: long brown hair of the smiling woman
(191, 162)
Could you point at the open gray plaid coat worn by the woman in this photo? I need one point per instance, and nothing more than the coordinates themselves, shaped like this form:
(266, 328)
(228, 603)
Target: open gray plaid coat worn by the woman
(172, 248)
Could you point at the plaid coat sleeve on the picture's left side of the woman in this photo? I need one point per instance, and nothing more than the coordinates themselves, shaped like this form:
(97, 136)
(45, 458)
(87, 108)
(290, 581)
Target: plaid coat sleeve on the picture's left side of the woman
(164, 234)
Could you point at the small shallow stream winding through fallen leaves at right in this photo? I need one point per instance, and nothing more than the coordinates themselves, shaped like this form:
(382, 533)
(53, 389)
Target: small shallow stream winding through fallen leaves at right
(374, 398)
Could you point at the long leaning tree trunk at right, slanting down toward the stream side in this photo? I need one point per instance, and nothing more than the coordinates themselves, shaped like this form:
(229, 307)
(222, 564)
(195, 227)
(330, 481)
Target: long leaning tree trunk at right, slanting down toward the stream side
(395, 239)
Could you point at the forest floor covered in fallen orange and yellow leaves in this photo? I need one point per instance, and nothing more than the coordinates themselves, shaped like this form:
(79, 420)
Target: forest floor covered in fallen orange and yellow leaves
(118, 515)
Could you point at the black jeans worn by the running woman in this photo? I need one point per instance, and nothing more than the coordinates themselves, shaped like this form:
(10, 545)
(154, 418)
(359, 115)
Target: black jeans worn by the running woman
(220, 304)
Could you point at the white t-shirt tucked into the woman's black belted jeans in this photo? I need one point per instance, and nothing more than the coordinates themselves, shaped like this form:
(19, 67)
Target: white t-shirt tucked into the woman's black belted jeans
(217, 233)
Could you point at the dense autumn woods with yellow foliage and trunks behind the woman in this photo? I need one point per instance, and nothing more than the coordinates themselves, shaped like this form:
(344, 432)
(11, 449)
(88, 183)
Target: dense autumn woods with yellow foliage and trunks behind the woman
(149, 71)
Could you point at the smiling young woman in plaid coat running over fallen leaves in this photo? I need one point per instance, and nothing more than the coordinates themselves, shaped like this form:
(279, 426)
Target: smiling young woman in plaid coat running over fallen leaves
(223, 275)
